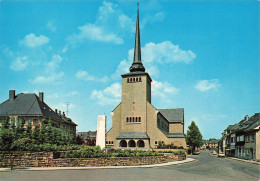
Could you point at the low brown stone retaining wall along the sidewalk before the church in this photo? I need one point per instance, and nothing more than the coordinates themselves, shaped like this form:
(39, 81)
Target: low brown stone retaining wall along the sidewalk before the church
(47, 159)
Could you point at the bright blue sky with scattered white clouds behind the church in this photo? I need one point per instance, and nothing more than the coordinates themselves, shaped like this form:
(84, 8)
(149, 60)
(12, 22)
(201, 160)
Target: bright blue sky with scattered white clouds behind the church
(203, 56)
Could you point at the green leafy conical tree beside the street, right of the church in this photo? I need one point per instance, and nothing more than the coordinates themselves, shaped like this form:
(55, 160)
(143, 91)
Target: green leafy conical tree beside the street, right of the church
(194, 137)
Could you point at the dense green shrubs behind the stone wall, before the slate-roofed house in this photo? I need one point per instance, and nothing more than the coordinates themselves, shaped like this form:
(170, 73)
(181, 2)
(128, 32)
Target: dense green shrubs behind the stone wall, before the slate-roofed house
(44, 138)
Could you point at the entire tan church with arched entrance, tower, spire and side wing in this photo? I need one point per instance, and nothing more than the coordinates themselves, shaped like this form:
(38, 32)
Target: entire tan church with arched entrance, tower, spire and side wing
(136, 123)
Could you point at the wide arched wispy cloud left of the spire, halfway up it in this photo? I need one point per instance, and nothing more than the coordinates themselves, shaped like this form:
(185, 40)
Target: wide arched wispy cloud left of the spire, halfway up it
(93, 32)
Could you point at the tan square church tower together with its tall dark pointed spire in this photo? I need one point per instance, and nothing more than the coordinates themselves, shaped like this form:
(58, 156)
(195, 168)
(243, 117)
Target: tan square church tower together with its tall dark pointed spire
(136, 91)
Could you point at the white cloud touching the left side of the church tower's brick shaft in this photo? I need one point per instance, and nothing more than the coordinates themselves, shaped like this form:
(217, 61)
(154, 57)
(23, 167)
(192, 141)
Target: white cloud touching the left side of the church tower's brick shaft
(109, 96)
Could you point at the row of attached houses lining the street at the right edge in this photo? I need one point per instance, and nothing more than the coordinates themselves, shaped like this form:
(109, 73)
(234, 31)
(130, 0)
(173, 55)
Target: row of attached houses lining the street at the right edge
(242, 140)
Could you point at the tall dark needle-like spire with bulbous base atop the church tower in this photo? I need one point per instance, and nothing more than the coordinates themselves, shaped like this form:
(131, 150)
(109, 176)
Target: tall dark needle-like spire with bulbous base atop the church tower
(137, 65)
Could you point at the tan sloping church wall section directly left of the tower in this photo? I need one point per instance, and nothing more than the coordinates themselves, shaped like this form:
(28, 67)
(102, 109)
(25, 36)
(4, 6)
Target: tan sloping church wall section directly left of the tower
(115, 130)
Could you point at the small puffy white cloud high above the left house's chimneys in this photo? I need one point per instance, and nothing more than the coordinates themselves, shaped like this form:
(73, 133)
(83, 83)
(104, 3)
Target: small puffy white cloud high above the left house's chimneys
(33, 41)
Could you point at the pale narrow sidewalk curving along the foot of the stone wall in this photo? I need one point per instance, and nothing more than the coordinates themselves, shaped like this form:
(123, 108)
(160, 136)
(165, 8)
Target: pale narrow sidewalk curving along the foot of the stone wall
(106, 167)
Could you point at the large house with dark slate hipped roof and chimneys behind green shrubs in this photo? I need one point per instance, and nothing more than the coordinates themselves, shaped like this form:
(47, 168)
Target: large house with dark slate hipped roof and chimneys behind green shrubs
(30, 107)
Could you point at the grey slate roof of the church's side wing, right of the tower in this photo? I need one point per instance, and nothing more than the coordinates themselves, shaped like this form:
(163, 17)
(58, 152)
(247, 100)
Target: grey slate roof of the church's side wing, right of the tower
(173, 115)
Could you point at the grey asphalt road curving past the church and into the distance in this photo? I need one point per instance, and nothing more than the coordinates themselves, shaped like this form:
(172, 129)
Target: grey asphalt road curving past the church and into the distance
(206, 167)
